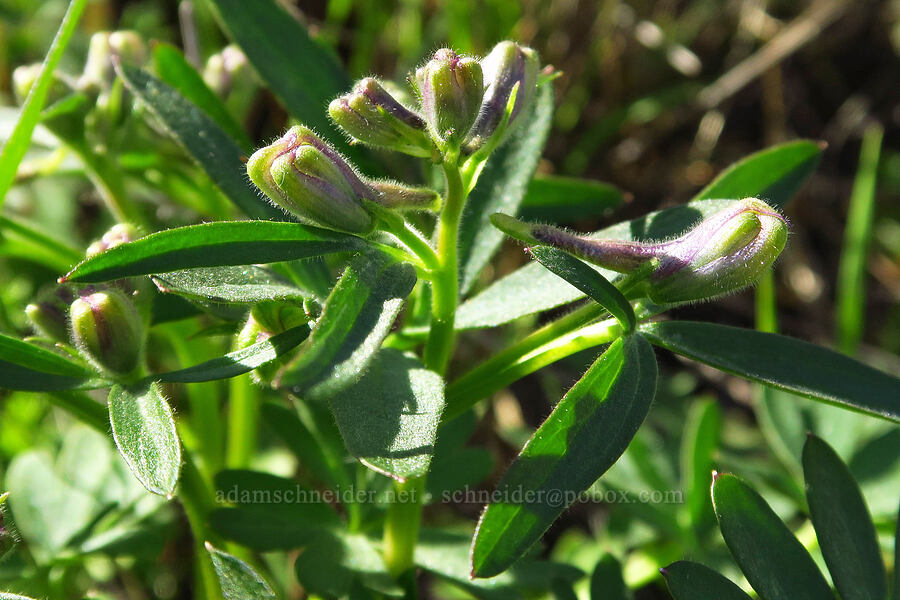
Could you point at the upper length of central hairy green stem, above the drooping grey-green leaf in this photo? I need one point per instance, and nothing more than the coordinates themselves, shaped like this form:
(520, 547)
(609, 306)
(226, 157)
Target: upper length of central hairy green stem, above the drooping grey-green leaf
(445, 284)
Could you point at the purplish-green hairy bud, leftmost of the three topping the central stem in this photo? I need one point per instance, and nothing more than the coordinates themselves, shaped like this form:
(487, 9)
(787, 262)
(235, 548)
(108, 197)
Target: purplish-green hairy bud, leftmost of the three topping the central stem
(373, 116)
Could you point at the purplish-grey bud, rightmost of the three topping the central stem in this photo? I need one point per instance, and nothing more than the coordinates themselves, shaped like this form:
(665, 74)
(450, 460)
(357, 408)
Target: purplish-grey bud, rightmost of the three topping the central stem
(507, 66)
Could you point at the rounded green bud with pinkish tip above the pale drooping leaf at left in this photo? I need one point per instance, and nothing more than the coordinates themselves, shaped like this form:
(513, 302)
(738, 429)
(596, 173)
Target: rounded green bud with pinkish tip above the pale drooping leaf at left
(107, 330)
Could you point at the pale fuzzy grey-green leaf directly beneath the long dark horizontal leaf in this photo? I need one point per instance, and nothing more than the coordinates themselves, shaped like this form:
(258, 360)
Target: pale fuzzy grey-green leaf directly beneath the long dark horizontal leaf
(244, 284)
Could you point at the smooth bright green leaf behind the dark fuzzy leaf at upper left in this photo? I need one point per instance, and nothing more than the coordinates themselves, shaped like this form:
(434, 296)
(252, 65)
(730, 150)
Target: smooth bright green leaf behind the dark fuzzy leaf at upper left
(178, 73)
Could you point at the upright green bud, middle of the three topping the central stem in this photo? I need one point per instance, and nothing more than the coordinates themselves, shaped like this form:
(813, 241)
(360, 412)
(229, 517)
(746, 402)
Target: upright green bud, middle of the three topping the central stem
(451, 88)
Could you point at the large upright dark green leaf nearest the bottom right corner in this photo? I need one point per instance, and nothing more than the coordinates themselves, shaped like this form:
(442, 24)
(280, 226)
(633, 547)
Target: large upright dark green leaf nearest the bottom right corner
(843, 524)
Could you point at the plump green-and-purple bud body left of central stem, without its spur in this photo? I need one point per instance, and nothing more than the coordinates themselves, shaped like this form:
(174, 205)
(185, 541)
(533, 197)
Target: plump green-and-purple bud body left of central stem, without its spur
(307, 178)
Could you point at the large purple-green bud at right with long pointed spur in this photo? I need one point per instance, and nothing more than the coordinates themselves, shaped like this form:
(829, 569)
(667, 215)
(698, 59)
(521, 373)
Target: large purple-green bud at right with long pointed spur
(723, 253)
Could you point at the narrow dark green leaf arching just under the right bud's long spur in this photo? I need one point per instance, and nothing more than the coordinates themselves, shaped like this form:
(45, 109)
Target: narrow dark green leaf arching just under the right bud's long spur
(589, 281)
